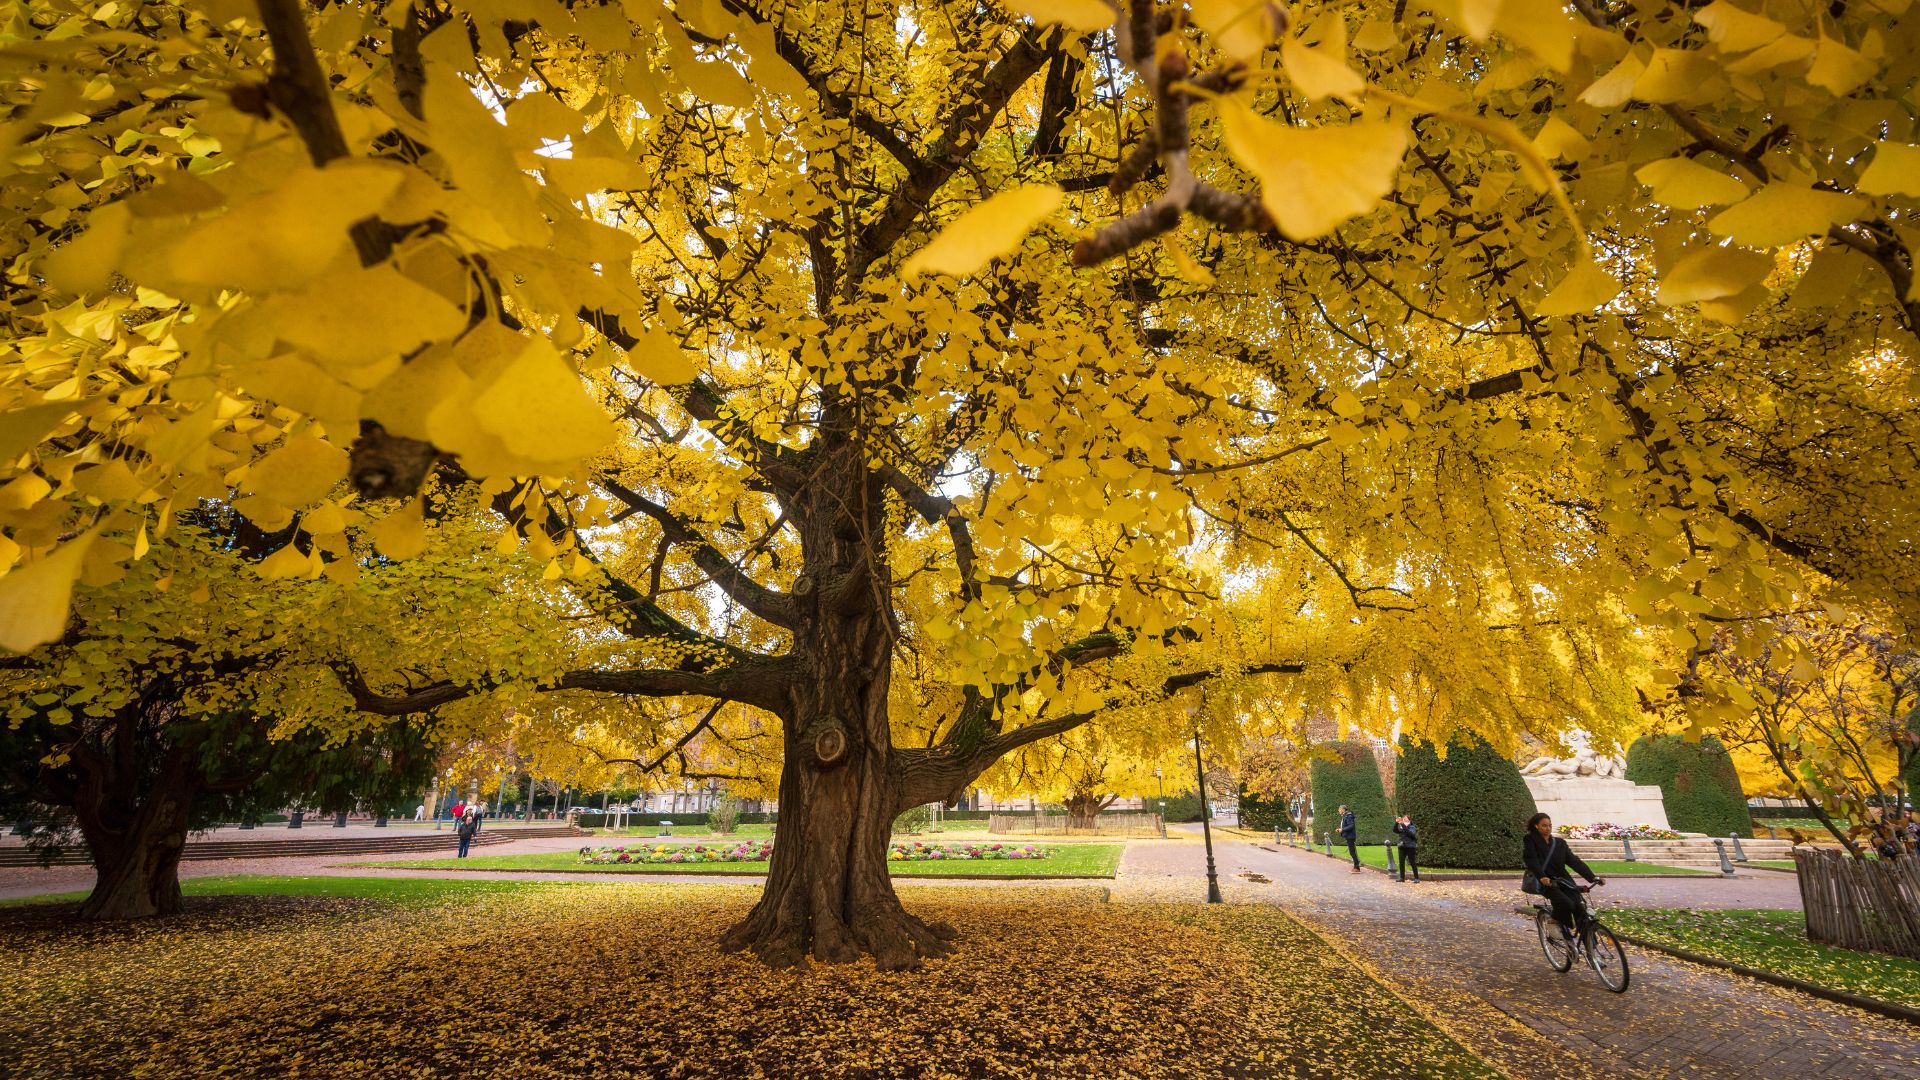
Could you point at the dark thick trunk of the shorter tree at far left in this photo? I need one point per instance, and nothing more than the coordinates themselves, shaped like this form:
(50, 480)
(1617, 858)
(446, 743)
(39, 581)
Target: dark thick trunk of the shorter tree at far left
(137, 845)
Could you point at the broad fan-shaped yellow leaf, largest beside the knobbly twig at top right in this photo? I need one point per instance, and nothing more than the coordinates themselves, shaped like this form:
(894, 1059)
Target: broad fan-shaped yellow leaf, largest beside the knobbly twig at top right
(1314, 178)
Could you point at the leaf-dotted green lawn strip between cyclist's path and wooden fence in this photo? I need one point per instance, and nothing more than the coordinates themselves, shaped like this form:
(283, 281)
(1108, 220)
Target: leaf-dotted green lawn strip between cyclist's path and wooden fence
(1777, 943)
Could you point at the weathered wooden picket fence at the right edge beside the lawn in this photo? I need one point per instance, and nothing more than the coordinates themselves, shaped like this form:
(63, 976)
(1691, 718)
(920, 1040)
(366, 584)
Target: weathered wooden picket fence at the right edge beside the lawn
(1861, 904)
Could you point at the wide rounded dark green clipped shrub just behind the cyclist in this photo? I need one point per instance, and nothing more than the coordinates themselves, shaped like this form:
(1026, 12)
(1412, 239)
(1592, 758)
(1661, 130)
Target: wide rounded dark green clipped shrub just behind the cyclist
(1472, 810)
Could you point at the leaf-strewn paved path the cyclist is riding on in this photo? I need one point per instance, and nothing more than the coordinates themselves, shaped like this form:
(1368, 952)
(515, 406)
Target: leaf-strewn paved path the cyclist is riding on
(1460, 954)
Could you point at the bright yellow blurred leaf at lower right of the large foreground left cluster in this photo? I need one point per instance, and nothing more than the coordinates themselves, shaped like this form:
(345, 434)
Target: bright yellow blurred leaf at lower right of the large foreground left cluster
(540, 408)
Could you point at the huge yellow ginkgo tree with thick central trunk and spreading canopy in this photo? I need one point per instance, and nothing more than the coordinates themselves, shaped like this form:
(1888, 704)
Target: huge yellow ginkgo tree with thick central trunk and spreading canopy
(919, 381)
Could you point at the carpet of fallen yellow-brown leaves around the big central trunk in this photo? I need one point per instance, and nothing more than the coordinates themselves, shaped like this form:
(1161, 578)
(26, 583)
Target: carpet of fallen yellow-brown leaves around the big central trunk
(625, 981)
